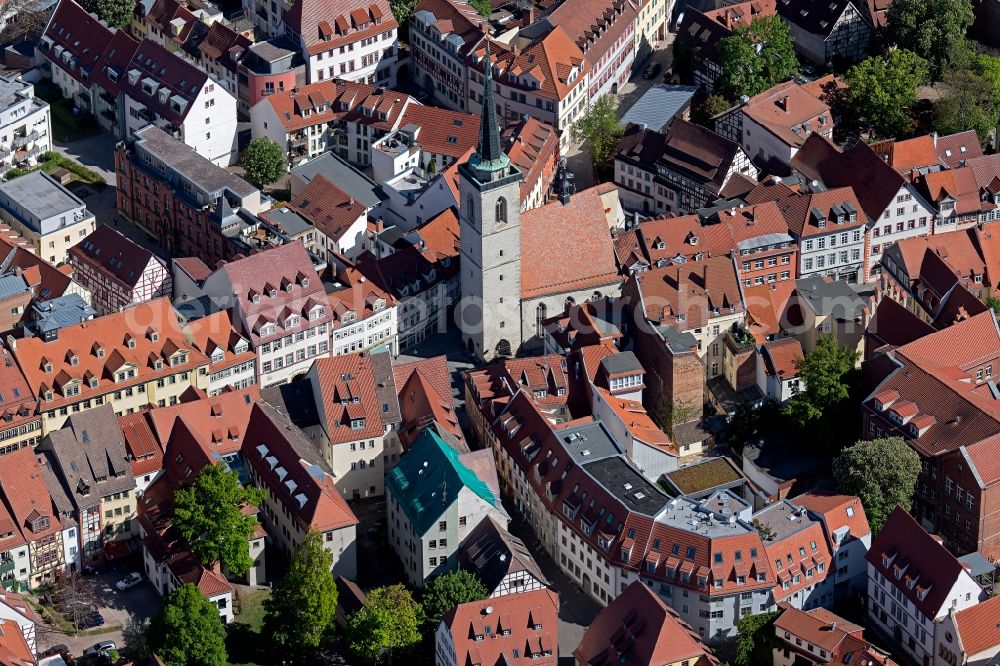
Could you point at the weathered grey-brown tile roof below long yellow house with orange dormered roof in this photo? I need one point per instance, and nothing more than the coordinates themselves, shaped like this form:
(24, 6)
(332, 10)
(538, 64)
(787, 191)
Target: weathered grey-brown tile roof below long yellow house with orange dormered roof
(89, 450)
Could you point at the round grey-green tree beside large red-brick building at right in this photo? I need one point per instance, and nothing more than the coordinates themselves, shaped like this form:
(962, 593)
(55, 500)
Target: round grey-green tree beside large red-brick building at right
(882, 472)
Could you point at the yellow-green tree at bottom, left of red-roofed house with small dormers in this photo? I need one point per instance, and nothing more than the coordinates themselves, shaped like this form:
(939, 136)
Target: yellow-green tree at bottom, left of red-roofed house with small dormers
(388, 623)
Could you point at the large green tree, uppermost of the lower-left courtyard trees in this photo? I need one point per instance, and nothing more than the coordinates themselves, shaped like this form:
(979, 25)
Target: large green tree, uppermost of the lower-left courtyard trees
(208, 515)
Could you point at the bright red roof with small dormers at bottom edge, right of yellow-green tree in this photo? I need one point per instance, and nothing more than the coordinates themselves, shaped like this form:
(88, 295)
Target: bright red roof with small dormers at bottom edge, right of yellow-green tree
(489, 631)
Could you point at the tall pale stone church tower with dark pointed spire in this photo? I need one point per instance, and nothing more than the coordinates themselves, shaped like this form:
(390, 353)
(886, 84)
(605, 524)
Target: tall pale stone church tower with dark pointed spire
(489, 186)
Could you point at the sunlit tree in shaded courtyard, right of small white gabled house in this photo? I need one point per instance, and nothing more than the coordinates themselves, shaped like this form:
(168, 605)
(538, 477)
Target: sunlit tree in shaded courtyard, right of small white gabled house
(825, 373)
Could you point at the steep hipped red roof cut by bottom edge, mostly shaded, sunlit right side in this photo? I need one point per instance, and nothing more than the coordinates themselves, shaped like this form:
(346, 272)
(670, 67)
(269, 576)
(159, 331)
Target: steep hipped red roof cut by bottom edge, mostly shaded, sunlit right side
(638, 629)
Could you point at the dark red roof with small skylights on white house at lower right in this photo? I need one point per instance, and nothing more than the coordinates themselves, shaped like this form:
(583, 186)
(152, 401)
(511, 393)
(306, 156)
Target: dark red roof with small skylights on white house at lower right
(903, 545)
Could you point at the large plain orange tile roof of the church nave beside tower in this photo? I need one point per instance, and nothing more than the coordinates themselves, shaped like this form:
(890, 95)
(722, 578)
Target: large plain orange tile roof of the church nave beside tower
(555, 235)
